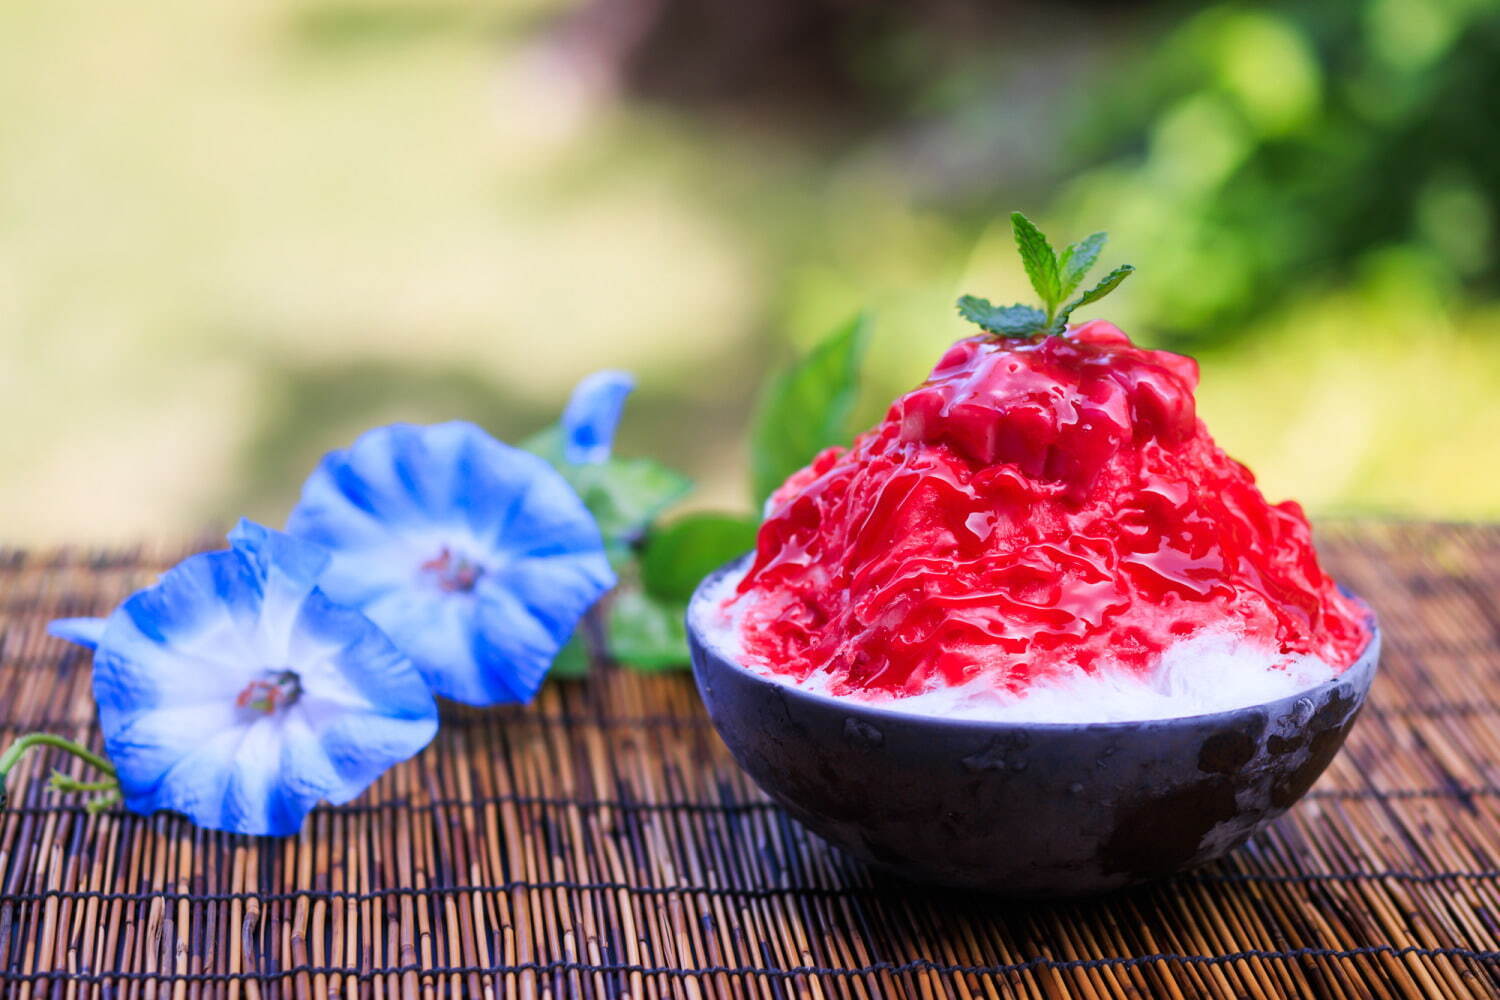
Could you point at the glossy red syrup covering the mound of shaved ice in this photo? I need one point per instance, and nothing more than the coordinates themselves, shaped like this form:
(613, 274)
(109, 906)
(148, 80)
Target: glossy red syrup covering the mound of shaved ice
(1037, 507)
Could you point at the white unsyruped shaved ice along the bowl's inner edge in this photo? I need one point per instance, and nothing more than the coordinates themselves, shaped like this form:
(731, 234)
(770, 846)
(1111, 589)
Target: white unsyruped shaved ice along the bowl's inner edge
(1208, 672)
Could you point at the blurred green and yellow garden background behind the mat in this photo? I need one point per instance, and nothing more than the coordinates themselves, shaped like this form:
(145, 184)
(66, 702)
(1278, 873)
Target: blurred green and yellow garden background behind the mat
(236, 233)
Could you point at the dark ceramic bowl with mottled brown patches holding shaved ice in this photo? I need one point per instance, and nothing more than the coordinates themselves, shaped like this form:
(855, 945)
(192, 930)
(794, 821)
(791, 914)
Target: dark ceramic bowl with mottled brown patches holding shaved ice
(1025, 809)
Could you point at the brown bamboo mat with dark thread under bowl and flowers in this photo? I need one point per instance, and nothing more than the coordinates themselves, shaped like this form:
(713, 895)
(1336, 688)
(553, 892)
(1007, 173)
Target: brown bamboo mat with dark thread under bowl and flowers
(604, 845)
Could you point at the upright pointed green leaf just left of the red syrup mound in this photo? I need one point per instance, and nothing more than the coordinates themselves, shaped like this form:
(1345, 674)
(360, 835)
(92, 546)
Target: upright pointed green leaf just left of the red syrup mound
(806, 409)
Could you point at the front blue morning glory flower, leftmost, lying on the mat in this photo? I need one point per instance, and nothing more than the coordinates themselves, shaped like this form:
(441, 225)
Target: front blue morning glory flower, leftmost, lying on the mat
(235, 692)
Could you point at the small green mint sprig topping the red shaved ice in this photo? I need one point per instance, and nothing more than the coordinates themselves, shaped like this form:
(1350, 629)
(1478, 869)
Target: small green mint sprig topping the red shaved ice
(1055, 277)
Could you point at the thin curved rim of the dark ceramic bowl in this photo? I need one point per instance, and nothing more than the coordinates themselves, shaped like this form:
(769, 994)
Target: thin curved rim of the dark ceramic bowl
(1367, 662)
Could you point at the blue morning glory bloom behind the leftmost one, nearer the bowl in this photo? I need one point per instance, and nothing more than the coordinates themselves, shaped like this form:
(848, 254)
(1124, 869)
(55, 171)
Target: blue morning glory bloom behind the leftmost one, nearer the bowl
(476, 558)
